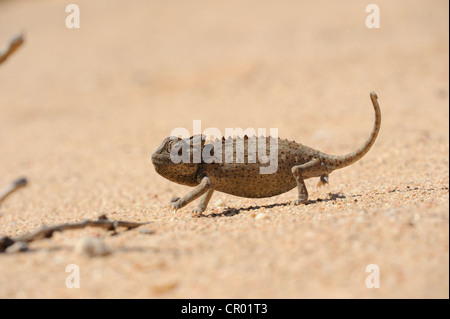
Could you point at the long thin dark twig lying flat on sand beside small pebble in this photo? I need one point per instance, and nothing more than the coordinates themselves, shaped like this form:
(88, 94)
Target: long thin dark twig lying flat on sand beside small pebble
(47, 231)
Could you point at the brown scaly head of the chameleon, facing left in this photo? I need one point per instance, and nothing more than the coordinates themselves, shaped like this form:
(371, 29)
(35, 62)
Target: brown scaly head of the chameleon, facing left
(174, 160)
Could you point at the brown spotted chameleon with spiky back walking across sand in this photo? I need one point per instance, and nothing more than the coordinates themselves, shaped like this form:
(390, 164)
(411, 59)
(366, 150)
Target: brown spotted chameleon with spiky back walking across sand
(296, 163)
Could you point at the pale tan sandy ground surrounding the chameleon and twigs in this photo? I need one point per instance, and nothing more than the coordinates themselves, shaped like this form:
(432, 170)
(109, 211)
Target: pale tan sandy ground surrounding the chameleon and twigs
(83, 110)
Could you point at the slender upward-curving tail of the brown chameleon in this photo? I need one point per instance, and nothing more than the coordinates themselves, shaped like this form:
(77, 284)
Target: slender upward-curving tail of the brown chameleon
(350, 158)
